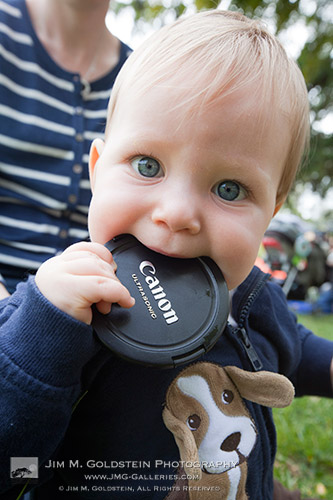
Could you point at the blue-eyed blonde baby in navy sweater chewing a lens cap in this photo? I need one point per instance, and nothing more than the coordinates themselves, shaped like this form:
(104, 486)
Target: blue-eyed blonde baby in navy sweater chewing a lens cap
(207, 126)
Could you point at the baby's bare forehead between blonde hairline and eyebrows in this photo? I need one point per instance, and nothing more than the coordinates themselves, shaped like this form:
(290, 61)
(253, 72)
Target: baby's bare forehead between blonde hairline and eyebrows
(173, 118)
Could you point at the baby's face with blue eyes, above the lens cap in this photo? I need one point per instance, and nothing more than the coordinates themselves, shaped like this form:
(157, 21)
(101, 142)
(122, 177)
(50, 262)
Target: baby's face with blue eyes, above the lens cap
(189, 186)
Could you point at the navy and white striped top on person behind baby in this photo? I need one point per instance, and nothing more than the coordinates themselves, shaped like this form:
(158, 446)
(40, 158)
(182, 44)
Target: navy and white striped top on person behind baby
(48, 119)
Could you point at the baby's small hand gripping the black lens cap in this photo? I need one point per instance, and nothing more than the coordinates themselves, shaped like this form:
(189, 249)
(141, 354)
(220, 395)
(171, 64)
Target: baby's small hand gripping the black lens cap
(84, 274)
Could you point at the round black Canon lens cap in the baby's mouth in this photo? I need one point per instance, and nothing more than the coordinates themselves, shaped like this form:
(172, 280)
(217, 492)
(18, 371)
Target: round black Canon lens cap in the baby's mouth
(181, 306)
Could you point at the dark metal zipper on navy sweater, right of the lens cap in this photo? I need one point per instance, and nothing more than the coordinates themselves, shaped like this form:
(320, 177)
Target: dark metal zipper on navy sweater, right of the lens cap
(240, 331)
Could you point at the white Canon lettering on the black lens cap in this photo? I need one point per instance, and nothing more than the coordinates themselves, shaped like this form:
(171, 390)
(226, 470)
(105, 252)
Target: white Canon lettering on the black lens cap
(147, 268)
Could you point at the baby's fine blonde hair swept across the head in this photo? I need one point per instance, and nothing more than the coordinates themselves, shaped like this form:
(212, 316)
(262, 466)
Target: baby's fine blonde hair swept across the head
(232, 51)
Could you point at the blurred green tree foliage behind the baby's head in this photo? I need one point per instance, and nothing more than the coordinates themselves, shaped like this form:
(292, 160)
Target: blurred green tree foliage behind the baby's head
(314, 55)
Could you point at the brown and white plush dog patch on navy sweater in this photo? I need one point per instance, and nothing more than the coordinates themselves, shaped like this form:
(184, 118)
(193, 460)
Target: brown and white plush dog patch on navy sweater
(213, 429)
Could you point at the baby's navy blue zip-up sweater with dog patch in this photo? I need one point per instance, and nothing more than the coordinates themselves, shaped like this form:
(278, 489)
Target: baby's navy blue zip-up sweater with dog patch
(49, 360)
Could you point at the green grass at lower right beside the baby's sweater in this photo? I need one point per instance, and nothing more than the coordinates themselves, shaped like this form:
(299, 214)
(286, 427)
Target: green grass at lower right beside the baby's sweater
(304, 459)
